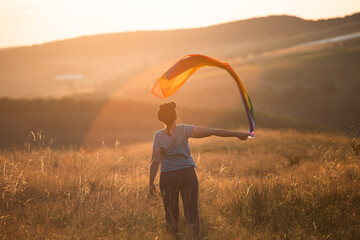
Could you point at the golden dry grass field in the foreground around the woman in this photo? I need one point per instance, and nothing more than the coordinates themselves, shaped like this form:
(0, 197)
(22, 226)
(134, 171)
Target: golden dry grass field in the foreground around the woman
(281, 185)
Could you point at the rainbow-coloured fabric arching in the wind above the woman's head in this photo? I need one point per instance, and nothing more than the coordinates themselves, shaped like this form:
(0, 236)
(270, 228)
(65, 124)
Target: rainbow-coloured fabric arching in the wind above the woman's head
(176, 76)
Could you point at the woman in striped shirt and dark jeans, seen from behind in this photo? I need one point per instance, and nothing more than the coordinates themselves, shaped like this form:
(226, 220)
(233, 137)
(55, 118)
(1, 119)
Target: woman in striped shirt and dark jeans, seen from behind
(171, 149)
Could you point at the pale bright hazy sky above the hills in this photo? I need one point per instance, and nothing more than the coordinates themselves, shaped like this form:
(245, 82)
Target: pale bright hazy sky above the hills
(27, 22)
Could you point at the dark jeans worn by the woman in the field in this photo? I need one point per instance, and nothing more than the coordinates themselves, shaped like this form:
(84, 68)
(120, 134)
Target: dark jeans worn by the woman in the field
(184, 181)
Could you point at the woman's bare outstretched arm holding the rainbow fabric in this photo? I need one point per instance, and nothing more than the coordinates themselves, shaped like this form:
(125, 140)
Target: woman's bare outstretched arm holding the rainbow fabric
(201, 132)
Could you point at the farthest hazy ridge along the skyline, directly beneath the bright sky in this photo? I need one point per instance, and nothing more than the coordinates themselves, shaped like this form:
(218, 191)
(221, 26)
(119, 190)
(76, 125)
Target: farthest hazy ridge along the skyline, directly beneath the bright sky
(143, 42)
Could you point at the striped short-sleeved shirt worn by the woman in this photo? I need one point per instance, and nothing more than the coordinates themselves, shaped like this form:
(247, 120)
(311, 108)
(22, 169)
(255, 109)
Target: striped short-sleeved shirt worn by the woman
(175, 149)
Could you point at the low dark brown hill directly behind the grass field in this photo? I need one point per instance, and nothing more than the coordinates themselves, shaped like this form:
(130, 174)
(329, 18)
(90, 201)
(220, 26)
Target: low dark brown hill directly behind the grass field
(70, 123)
